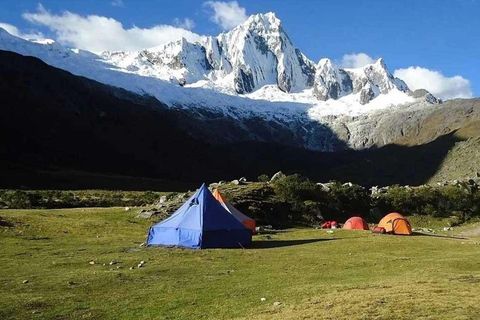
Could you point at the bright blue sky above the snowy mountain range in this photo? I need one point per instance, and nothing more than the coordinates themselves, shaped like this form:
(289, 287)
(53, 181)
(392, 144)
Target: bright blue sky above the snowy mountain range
(436, 35)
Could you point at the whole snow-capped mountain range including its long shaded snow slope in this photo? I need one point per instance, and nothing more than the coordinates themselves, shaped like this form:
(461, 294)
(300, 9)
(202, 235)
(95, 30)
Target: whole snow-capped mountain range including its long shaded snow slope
(251, 72)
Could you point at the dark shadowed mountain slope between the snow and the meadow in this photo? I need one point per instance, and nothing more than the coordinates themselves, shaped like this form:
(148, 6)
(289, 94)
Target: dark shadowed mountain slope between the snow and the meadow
(51, 119)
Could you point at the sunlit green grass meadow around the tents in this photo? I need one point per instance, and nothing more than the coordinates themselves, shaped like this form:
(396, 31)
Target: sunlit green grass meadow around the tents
(313, 274)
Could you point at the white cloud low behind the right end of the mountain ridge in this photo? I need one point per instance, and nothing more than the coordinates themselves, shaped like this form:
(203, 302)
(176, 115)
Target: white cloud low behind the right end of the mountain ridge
(435, 82)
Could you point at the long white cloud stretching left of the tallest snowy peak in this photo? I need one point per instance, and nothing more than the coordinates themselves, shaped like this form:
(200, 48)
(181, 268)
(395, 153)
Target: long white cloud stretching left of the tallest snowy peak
(98, 33)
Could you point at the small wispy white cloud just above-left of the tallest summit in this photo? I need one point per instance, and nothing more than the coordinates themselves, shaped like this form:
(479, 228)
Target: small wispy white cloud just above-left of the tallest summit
(227, 14)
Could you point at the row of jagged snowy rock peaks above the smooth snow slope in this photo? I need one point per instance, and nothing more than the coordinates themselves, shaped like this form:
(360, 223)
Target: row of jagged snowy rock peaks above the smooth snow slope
(255, 54)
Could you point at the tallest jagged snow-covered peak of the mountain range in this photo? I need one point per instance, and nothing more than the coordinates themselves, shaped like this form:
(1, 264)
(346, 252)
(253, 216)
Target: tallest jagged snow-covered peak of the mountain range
(260, 53)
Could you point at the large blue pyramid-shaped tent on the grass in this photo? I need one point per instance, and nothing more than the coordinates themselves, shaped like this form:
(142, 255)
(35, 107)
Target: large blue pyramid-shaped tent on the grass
(200, 223)
